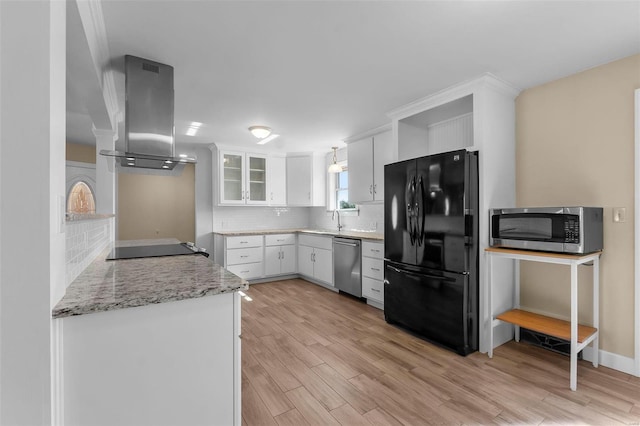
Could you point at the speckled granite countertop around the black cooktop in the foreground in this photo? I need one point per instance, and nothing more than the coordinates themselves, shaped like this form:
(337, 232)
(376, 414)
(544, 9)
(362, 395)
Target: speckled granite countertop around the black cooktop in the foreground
(116, 284)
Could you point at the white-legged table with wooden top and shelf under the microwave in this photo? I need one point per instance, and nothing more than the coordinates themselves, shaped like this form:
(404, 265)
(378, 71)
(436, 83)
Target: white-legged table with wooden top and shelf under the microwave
(578, 335)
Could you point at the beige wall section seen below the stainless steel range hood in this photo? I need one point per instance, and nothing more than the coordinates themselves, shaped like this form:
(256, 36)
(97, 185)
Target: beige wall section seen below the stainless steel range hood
(152, 206)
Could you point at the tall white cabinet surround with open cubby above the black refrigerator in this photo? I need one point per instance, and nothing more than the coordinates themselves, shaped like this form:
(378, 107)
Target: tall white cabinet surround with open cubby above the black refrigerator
(478, 115)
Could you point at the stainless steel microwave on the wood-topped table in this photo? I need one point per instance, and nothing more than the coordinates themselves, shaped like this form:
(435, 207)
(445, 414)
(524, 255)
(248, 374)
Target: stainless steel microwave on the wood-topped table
(576, 230)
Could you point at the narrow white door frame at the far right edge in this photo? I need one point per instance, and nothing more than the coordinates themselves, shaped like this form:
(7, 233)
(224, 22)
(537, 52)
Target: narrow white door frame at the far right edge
(636, 184)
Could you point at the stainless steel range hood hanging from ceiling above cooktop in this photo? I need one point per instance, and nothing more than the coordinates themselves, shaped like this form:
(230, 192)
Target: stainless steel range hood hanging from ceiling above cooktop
(149, 129)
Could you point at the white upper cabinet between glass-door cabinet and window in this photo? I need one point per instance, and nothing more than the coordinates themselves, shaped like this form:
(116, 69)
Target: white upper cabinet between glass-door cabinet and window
(306, 180)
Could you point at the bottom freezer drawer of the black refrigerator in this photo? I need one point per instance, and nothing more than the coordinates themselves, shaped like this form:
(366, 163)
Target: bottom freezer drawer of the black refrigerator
(435, 305)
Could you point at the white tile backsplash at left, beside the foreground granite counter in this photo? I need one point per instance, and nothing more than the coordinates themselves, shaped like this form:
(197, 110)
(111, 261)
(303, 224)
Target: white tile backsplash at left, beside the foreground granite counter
(85, 240)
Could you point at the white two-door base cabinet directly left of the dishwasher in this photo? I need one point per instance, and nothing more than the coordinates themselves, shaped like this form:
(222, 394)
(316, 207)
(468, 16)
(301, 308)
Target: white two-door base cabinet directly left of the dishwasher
(315, 258)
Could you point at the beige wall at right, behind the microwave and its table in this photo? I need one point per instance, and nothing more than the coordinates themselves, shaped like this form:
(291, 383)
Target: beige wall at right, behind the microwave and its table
(575, 146)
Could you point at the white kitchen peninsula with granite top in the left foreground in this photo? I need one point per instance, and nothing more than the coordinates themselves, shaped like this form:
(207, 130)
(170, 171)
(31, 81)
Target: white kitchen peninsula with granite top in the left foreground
(151, 341)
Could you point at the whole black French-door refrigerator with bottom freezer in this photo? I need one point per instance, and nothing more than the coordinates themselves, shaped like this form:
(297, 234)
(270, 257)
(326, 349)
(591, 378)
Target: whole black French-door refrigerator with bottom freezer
(431, 248)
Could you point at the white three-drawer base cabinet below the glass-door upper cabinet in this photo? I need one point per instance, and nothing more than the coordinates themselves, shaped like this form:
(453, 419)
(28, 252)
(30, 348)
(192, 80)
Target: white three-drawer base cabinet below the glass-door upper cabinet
(243, 256)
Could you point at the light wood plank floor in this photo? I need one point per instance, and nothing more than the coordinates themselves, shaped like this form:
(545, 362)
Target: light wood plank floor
(312, 356)
